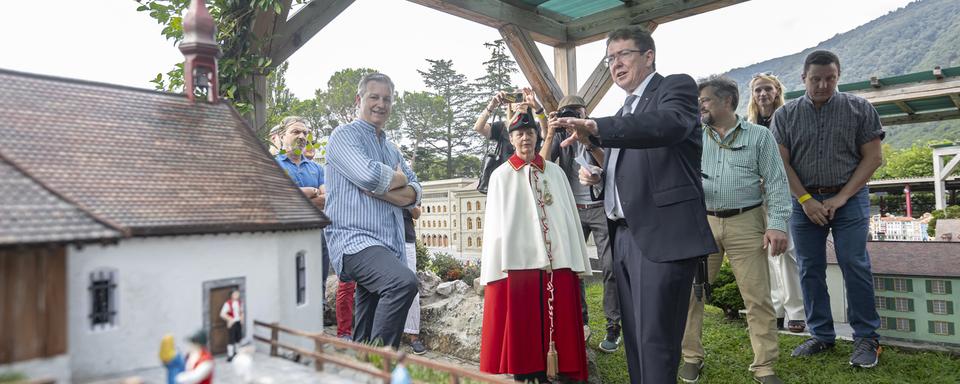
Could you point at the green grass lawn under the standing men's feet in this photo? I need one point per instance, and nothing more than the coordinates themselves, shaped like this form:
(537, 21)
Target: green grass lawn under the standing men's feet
(729, 355)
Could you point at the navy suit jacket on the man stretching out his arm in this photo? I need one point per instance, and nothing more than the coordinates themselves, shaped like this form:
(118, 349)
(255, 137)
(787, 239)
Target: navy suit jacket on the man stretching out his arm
(658, 170)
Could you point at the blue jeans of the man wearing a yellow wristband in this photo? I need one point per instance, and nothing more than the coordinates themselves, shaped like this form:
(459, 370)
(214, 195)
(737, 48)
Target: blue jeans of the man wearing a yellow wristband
(850, 227)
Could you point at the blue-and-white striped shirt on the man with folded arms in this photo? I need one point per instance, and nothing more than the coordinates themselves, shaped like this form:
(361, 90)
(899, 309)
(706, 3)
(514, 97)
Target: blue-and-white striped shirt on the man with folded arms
(358, 160)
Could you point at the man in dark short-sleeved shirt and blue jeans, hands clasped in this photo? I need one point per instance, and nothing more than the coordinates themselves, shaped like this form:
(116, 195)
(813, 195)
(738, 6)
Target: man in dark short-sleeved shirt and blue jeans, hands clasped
(830, 144)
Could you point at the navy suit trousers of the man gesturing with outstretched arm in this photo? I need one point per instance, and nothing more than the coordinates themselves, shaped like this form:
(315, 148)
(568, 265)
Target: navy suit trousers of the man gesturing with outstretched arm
(654, 298)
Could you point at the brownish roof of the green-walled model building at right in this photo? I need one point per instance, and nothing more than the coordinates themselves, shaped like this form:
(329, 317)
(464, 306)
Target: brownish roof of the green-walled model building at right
(913, 258)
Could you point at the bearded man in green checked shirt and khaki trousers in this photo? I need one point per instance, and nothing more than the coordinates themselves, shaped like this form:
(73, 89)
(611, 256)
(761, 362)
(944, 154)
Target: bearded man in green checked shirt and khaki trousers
(739, 156)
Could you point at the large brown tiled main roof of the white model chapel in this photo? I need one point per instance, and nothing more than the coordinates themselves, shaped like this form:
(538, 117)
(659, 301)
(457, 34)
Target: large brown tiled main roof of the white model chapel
(152, 163)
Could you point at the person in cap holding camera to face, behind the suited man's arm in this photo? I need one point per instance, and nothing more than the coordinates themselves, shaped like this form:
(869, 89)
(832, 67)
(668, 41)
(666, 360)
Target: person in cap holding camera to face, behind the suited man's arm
(592, 217)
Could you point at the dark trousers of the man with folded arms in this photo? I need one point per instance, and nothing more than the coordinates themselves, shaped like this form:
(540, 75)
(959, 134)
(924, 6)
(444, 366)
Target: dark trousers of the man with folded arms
(385, 290)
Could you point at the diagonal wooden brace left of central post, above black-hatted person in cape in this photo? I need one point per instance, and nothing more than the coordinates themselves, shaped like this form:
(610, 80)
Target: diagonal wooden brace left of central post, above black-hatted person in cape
(533, 66)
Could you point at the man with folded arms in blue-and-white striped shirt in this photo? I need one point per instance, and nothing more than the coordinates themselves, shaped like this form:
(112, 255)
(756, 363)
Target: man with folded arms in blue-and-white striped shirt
(368, 183)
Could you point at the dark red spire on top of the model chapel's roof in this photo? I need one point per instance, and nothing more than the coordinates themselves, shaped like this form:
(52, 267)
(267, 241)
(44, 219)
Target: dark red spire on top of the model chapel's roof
(200, 51)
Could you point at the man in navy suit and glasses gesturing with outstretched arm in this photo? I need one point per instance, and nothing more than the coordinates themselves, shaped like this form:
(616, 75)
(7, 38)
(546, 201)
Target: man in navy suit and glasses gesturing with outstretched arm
(653, 197)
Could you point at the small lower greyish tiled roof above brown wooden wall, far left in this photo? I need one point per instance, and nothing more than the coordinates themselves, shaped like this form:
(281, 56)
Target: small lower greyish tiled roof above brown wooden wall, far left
(29, 213)
